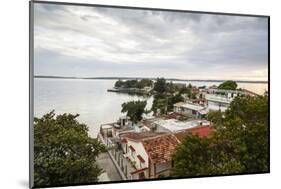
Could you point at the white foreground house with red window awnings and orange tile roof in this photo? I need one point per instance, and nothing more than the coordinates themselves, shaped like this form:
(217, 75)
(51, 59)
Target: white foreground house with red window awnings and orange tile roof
(148, 154)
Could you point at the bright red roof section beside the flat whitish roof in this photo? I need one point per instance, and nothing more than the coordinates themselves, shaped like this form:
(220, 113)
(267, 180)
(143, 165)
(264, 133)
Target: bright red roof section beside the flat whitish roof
(202, 131)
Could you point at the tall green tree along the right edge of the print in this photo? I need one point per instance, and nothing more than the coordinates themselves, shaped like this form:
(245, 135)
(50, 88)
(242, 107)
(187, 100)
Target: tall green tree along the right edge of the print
(247, 127)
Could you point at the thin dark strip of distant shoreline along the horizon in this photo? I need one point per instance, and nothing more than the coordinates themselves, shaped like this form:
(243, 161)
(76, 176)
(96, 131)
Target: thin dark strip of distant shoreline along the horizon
(130, 78)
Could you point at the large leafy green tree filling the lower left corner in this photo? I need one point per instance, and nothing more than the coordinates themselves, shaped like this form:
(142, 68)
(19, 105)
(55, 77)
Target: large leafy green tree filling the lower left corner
(63, 151)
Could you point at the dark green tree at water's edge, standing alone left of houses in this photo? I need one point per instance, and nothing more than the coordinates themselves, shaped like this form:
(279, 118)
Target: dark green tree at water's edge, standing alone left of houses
(134, 110)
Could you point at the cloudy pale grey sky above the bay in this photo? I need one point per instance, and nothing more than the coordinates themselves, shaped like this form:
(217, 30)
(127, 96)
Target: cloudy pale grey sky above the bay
(112, 42)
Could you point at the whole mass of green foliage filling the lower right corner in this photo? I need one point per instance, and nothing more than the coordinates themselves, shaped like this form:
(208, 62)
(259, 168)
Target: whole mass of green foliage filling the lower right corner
(239, 143)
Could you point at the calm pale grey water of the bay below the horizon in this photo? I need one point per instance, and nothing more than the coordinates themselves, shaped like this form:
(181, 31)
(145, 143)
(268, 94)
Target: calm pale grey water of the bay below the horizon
(91, 100)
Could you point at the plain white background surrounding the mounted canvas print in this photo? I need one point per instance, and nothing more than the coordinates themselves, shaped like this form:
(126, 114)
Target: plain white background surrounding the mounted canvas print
(14, 92)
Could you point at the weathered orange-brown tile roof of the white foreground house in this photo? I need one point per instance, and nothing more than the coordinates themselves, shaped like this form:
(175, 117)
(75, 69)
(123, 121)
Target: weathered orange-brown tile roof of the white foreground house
(161, 148)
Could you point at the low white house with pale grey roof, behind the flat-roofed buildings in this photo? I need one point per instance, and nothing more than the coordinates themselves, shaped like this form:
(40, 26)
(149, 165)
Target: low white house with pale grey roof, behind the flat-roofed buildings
(190, 109)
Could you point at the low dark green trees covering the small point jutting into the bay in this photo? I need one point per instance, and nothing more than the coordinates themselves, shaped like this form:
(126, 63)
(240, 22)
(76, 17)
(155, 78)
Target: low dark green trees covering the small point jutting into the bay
(134, 83)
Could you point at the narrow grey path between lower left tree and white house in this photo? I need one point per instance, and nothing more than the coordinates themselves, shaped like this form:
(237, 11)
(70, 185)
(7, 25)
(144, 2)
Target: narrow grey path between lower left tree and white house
(111, 173)
